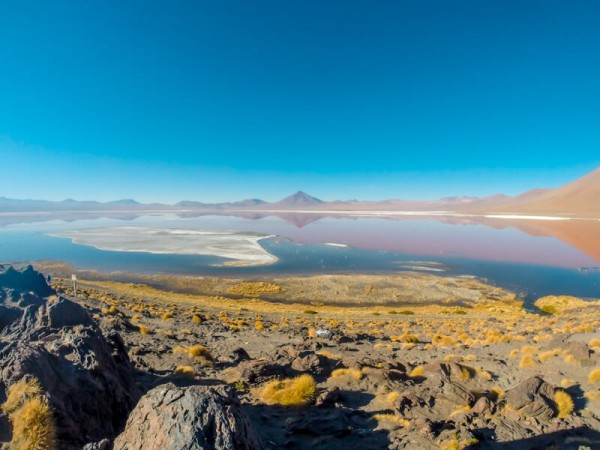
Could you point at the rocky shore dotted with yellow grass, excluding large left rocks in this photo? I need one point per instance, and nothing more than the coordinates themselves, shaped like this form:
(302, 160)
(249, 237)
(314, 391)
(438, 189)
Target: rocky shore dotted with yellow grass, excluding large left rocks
(400, 361)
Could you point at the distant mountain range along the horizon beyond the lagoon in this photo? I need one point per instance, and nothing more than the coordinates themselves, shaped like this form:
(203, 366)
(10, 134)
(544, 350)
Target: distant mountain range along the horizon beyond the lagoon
(580, 198)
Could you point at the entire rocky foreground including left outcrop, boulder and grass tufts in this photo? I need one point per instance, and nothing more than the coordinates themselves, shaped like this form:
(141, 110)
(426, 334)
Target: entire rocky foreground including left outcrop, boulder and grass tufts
(129, 366)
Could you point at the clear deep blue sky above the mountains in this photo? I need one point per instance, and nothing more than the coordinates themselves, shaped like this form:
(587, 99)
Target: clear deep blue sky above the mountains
(222, 100)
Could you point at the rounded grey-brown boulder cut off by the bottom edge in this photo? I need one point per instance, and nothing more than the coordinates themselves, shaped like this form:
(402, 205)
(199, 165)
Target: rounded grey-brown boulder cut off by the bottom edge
(190, 418)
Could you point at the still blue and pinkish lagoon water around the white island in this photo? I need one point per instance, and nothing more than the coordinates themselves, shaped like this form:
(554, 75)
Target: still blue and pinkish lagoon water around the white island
(535, 259)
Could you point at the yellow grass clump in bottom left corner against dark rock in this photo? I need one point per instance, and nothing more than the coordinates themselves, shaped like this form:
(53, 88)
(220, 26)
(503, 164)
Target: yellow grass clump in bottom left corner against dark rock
(31, 417)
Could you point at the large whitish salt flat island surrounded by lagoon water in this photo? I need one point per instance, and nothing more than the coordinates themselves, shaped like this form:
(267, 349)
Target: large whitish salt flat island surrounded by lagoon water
(241, 248)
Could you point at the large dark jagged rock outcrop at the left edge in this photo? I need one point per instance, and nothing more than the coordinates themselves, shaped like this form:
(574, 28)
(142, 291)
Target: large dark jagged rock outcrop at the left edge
(87, 378)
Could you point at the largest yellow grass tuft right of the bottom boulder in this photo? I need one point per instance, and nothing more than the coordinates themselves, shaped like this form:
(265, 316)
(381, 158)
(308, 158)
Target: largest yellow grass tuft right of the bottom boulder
(291, 392)
